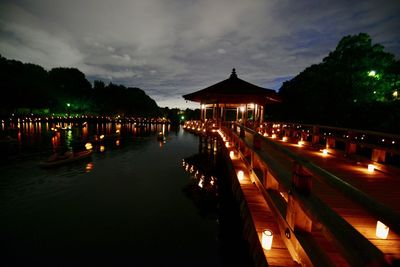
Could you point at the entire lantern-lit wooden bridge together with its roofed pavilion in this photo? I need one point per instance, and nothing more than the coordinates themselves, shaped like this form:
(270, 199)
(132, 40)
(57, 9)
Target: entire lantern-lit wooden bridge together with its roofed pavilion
(309, 195)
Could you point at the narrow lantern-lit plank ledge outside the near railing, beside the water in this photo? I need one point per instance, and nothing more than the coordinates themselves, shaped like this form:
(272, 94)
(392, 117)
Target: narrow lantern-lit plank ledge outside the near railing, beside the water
(263, 218)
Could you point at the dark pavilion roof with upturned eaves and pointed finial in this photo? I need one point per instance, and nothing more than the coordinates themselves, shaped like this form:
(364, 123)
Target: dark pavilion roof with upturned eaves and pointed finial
(234, 91)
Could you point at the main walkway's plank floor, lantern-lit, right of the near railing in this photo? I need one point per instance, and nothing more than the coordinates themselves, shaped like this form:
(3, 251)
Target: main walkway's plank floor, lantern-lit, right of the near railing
(382, 187)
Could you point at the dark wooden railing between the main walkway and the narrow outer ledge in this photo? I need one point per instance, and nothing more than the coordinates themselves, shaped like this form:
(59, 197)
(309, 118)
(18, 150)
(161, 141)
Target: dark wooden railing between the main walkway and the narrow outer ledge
(357, 249)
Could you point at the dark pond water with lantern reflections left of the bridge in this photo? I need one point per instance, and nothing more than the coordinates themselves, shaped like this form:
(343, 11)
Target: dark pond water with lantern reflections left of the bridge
(131, 205)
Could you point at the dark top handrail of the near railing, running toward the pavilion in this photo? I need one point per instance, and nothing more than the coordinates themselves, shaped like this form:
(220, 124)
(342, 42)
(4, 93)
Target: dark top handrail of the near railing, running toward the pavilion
(380, 211)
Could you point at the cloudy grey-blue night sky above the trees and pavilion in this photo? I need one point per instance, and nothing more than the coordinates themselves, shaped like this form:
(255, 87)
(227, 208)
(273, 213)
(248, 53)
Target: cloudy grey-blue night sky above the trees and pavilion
(174, 47)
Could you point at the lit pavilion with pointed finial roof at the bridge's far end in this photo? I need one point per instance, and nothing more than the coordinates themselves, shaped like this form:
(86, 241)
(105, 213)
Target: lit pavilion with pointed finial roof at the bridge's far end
(233, 99)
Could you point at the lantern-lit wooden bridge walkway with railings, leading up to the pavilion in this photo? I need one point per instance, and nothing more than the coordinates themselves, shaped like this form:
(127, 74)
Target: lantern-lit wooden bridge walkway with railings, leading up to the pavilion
(322, 206)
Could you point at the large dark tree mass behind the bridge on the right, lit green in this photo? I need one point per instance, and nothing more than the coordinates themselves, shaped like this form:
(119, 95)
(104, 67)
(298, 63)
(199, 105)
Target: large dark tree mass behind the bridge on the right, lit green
(357, 77)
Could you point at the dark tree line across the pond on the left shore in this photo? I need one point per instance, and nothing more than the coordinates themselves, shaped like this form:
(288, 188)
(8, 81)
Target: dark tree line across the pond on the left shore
(30, 88)
